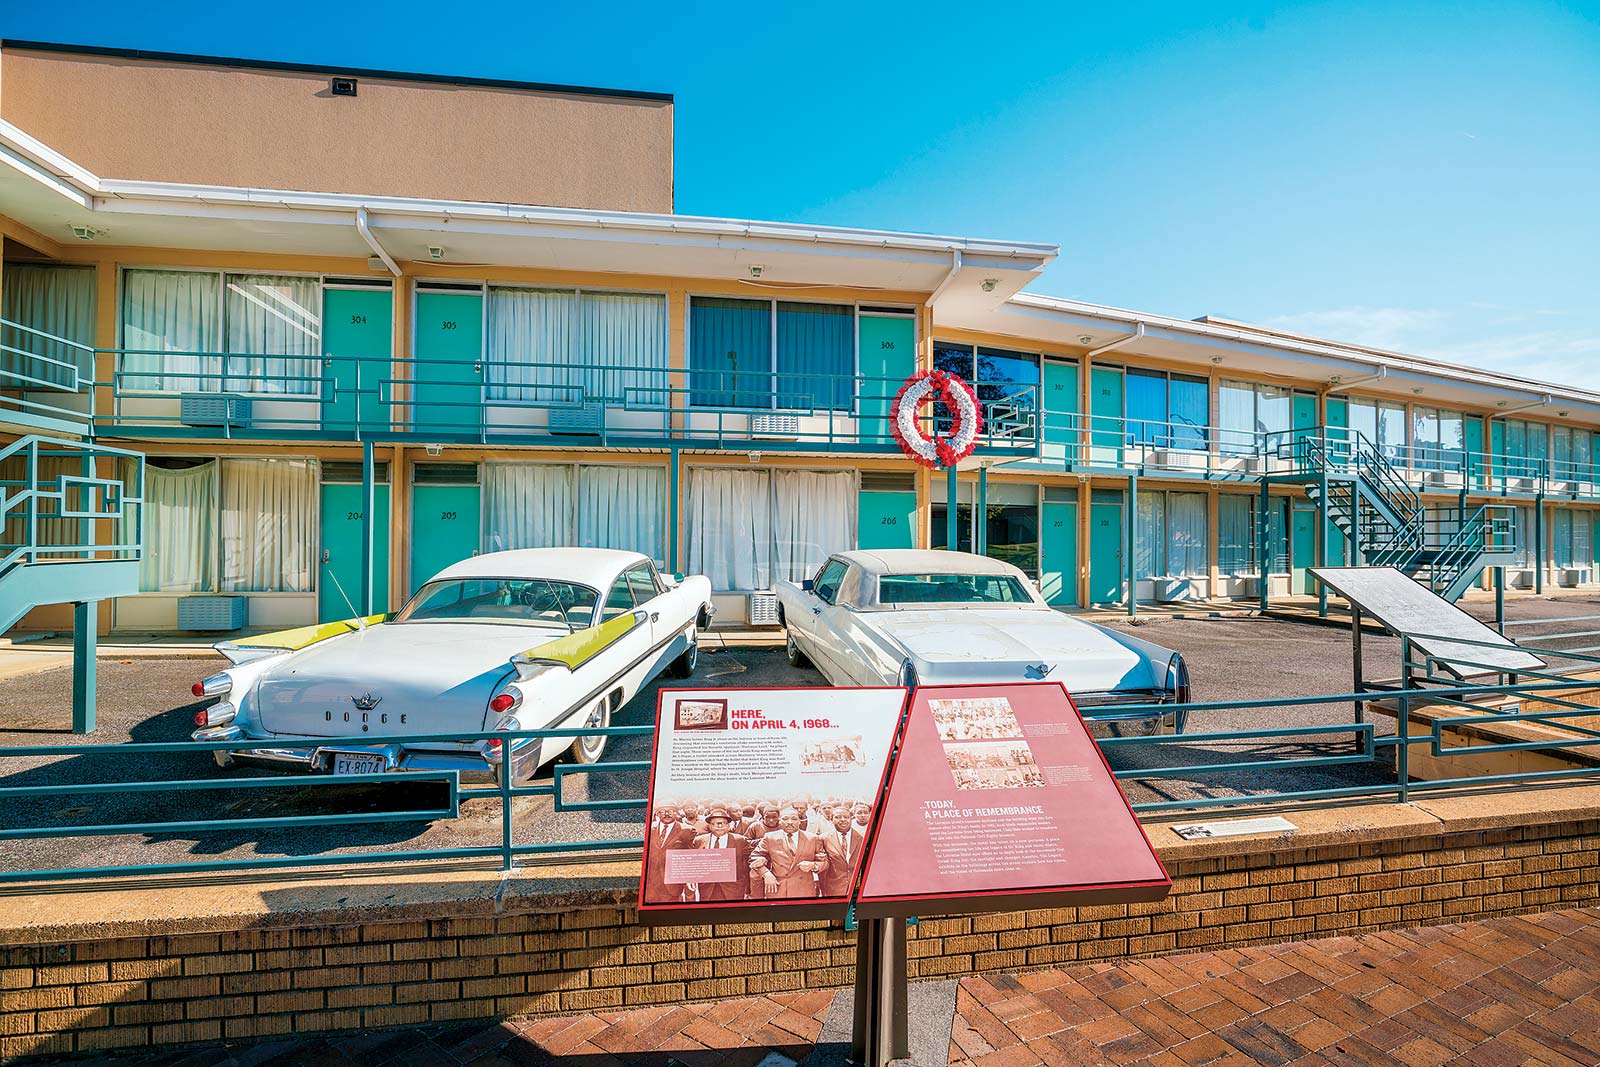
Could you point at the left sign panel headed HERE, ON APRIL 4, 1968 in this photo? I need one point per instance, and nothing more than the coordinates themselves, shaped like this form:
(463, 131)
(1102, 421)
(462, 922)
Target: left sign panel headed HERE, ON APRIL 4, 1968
(762, 797)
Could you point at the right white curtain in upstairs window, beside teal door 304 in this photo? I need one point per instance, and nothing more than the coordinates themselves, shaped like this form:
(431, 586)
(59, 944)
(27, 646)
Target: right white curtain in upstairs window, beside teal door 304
(274, 334)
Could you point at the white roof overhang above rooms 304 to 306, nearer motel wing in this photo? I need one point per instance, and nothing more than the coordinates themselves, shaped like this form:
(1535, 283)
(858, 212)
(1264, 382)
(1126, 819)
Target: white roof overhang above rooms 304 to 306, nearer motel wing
(50, 194)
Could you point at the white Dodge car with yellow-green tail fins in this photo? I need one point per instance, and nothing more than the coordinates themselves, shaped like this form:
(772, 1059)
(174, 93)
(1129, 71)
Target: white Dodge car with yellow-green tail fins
(535, 639)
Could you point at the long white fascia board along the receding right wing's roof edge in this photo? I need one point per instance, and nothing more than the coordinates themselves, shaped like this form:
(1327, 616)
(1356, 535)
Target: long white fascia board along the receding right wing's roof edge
(1268, 345)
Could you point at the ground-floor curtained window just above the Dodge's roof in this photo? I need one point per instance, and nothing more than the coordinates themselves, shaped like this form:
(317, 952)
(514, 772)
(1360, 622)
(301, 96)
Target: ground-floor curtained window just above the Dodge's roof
(543, 506)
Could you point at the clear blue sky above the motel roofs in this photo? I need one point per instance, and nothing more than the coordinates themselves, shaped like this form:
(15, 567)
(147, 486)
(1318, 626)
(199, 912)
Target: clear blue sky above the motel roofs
(1415, 177)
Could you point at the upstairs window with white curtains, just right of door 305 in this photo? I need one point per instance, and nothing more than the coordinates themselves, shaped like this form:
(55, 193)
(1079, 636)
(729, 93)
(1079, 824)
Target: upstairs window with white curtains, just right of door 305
(575, 346)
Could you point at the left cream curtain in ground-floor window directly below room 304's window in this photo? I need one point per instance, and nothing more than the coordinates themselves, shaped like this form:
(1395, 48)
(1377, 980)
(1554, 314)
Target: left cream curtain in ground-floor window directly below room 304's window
(180, 530)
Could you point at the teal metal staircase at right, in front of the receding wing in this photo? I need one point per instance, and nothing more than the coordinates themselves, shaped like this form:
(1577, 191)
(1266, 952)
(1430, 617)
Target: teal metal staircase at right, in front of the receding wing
(1386, 521)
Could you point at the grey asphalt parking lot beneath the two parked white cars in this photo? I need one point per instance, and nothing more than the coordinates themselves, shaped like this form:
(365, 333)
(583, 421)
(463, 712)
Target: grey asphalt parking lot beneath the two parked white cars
(1234, 658)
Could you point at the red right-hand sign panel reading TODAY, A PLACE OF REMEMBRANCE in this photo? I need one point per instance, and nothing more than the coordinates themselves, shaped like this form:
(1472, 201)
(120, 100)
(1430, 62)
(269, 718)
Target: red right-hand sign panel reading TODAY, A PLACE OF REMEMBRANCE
(999, 801)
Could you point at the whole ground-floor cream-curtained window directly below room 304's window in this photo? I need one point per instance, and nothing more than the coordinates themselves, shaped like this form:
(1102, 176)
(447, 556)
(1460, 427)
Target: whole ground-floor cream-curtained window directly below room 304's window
(230, 526)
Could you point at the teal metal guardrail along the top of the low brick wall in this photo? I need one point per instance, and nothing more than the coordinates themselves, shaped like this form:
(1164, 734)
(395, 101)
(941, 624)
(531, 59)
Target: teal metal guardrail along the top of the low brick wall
(1390, 753)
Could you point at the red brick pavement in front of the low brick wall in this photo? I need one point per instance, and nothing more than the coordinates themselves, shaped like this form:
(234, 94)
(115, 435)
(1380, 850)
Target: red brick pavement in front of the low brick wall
(1487, 994)
